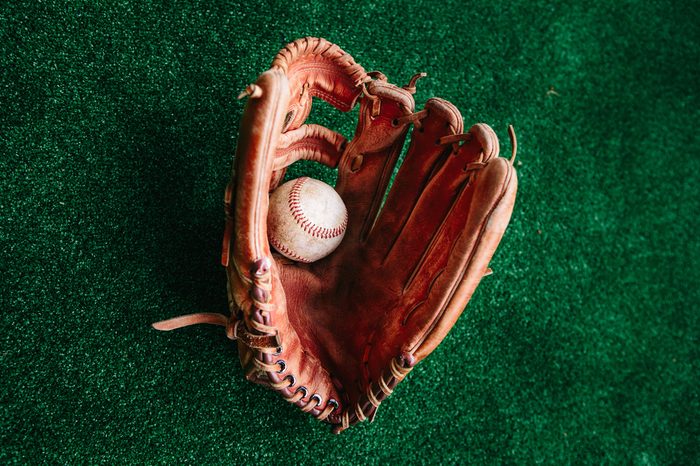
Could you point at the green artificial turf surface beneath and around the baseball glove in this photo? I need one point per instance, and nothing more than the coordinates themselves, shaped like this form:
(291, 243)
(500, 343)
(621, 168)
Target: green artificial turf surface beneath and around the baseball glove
(118, 122)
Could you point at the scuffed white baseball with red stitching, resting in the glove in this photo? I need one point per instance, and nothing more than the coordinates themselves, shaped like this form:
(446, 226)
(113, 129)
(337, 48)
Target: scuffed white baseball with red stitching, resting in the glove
(307, 219)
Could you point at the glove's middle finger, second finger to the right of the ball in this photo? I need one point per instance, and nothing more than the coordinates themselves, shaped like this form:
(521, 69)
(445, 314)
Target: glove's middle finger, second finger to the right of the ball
(423, 158)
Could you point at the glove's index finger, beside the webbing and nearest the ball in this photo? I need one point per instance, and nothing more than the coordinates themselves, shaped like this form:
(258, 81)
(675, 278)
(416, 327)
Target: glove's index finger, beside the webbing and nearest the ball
(368, 161)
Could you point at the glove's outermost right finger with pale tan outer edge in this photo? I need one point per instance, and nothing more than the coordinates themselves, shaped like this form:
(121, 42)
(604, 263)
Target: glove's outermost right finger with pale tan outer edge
(453, 266)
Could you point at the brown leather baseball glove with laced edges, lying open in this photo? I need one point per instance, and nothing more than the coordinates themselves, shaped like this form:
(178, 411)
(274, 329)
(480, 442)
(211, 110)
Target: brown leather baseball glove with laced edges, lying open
(334, 337)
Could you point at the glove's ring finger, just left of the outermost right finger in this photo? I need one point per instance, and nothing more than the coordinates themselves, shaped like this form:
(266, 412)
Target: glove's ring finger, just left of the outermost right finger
(436, 207)
